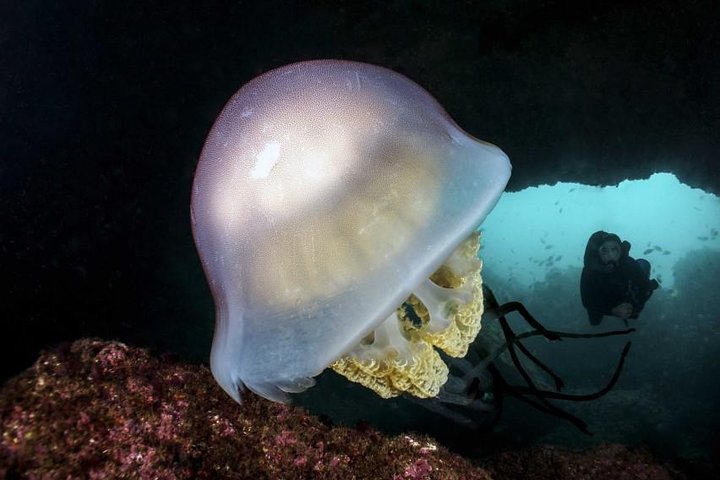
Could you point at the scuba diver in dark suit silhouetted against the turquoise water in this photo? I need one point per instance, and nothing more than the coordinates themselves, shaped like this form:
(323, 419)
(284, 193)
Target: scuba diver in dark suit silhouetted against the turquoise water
(612, 282)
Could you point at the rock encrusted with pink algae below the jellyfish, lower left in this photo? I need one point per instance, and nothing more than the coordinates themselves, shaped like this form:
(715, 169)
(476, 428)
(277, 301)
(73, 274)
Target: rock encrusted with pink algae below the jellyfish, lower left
(102, 410)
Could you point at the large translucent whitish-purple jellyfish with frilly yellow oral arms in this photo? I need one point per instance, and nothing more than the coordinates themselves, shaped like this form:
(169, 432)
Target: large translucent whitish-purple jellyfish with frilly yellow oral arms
(326, 194)
